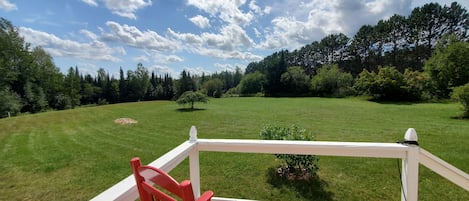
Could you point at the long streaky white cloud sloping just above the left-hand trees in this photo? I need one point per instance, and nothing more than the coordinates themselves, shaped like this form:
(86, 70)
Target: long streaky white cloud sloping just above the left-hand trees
(59, 47)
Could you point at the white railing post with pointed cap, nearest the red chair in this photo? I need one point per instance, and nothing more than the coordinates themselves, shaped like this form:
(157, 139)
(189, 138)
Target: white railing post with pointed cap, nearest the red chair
(194, 168)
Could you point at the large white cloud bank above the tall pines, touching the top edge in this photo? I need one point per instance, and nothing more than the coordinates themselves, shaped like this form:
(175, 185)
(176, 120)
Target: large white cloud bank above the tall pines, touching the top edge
(297, 25)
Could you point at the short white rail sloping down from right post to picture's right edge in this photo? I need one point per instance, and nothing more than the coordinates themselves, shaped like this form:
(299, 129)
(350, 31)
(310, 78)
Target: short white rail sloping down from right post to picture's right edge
(444, 169)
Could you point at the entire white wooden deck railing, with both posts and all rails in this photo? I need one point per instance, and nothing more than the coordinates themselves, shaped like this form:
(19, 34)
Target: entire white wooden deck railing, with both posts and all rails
(411, 155)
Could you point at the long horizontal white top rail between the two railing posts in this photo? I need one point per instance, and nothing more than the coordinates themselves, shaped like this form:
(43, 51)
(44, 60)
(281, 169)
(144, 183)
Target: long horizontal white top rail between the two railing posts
(358, 149)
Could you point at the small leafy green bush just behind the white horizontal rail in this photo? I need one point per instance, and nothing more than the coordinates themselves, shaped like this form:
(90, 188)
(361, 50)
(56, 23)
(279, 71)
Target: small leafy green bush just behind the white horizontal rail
(296, 164)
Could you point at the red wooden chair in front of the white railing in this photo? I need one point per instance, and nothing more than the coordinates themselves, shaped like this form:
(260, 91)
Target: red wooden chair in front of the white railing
(146, 175)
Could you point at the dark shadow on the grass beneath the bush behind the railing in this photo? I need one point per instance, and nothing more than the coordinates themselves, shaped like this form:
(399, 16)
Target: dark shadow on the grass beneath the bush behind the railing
(311, 188)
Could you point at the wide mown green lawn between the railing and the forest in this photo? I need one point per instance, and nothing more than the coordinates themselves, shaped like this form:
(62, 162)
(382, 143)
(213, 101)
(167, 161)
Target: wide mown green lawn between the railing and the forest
(76, 154)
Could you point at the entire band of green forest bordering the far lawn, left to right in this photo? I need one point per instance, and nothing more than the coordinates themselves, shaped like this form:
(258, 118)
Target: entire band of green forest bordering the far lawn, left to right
(420, 57)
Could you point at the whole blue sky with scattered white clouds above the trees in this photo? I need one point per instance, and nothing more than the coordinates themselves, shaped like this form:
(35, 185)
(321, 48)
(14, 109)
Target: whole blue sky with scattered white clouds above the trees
(199, 36)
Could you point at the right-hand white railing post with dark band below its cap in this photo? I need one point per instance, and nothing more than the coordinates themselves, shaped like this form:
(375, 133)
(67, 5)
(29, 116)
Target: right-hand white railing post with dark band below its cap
(410, 168)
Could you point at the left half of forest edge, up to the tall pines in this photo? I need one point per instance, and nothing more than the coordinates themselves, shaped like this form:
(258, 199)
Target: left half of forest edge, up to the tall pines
(30, 82)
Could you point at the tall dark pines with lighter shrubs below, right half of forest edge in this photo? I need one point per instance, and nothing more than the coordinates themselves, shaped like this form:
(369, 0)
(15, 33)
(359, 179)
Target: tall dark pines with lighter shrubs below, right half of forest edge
(421, 55)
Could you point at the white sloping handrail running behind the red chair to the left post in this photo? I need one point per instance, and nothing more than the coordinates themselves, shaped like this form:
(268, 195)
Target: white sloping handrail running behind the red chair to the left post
(126, 189)
